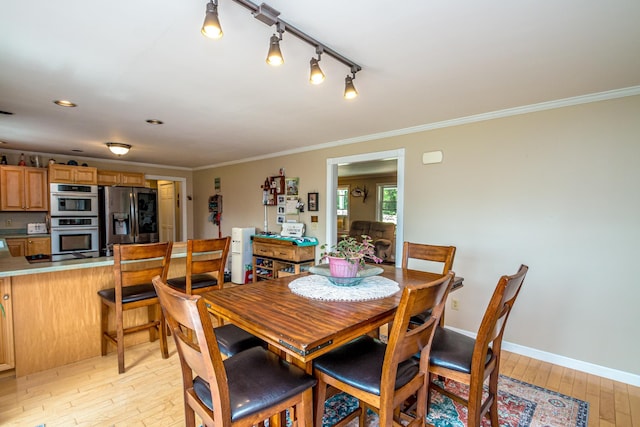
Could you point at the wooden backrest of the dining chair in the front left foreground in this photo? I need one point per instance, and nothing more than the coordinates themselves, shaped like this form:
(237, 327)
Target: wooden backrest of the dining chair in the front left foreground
(198, 351)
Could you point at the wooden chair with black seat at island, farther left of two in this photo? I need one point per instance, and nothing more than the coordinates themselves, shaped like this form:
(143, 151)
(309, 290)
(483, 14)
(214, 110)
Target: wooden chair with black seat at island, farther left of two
(134, 266)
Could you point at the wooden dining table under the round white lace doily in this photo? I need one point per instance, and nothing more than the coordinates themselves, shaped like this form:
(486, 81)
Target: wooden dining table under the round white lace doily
(301, 328)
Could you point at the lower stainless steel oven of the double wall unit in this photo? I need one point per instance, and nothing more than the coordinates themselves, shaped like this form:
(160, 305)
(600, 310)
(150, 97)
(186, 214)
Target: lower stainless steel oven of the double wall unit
(74, 237)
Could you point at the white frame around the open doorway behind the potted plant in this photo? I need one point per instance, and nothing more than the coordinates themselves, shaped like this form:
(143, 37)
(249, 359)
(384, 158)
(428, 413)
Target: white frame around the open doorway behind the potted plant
(332, 185)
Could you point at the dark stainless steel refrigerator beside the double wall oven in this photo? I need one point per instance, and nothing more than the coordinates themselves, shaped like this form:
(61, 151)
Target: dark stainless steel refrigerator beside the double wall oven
(127, 215)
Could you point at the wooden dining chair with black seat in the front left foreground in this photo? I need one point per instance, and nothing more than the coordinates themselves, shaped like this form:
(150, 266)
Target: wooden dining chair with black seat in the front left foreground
(240, 391)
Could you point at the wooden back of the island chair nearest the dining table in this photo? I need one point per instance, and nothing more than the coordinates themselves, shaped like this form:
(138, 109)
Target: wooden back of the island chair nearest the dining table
(207, 256)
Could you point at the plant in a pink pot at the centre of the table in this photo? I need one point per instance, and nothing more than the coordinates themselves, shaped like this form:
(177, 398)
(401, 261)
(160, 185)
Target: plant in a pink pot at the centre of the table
(349, 255)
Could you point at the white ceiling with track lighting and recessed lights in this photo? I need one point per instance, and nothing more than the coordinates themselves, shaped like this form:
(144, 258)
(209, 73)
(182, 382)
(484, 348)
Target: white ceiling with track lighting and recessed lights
(124, 62)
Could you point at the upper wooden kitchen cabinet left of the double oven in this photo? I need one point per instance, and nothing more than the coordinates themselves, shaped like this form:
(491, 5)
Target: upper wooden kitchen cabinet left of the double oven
(23, 189)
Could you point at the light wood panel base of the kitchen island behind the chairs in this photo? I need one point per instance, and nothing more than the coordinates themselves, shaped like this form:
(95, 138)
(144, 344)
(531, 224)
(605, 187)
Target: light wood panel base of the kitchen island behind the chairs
(56, 316)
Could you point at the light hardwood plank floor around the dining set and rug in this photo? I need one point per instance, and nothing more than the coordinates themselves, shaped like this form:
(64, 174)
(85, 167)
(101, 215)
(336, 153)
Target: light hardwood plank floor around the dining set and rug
(91, 393)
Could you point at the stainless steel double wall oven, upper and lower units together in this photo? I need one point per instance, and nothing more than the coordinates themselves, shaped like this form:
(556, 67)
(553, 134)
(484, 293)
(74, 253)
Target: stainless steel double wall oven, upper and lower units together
(74, 221)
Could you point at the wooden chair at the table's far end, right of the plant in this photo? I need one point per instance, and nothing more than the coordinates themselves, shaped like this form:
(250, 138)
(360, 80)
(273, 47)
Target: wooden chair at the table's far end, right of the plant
(414, 253)
